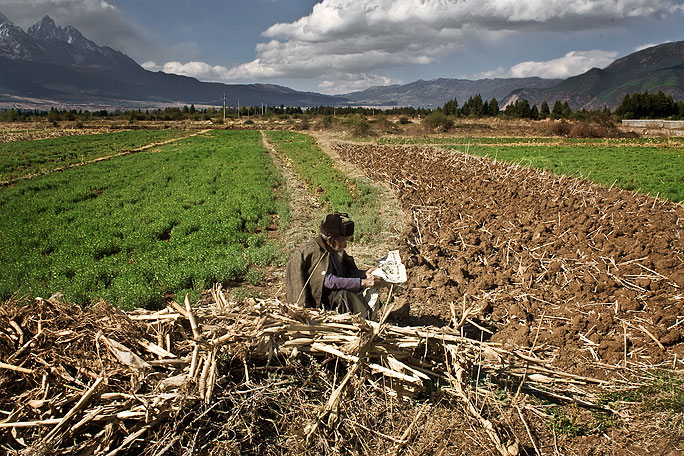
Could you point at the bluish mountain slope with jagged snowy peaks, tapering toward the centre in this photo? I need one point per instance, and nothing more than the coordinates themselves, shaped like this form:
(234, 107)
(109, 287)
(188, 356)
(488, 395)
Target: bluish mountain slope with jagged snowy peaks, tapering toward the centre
(50, 65)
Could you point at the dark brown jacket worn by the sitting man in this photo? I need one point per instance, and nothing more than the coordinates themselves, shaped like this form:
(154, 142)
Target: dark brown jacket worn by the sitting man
(306, 271)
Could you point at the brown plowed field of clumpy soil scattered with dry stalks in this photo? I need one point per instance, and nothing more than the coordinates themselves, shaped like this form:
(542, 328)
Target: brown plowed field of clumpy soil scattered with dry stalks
(590, 273)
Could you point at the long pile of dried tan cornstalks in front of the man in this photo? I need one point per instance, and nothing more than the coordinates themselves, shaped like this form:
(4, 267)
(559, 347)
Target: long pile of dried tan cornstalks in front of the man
(102, 381)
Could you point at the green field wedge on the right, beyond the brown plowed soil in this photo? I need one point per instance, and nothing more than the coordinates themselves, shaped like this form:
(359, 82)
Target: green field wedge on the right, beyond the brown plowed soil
(647, 165)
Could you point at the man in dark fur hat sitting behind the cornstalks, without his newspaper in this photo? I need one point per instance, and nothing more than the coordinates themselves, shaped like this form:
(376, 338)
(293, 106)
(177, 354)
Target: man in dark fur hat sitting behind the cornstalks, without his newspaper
(320, 273)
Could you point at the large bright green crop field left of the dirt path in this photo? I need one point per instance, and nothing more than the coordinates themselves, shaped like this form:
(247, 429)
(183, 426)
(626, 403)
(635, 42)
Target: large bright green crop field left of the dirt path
(132, 229)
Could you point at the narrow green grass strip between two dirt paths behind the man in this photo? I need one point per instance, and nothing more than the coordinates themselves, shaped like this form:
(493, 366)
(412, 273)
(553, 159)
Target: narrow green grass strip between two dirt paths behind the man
(334, 189)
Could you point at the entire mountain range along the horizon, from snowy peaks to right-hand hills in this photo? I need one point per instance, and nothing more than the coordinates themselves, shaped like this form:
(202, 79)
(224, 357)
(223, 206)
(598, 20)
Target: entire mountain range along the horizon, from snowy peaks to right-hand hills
(49, 65)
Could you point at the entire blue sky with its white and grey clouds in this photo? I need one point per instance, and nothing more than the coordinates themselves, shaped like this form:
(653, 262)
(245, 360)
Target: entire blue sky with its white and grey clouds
(340, 46)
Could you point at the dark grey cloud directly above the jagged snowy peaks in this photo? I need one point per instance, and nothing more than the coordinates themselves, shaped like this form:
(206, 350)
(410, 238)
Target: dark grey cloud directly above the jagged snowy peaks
(98, 20)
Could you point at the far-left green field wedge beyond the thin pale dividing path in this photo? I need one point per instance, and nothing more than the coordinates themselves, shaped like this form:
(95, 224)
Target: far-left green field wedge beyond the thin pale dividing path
(21, 158)
